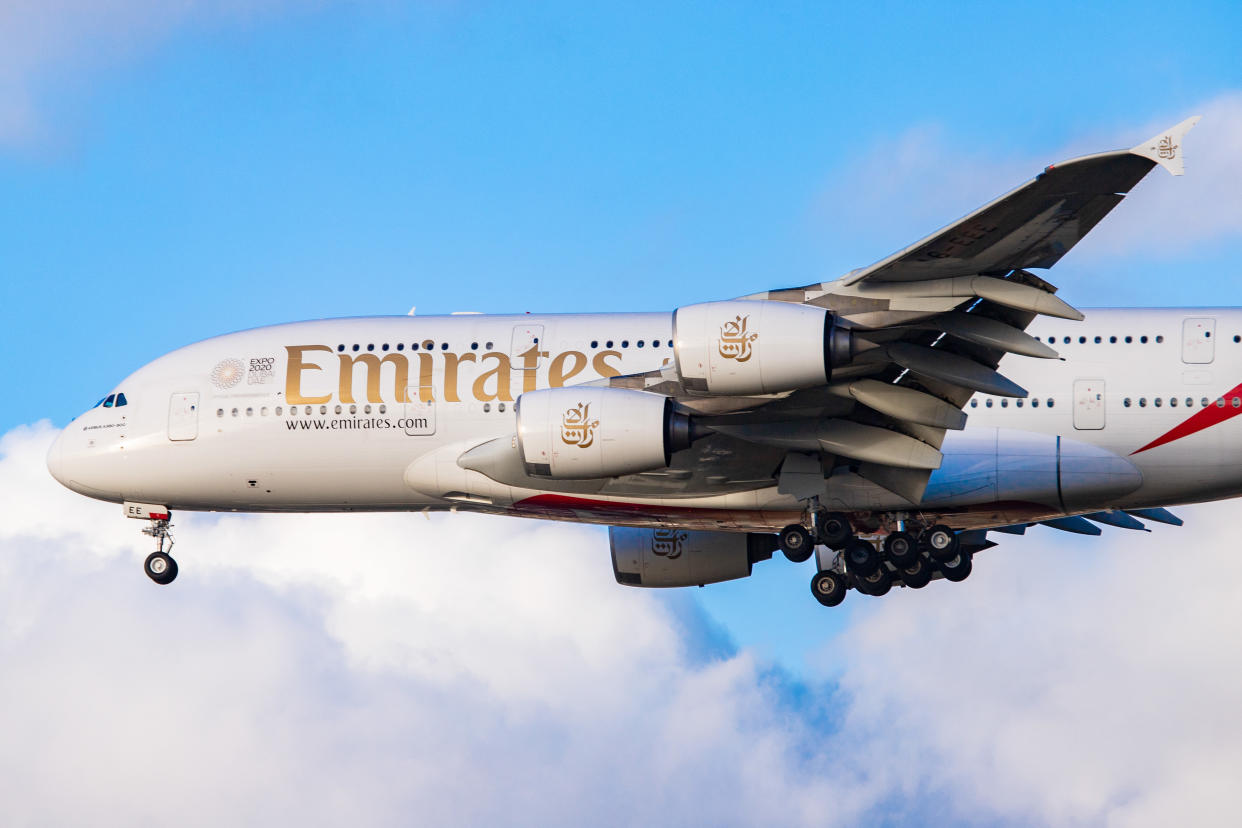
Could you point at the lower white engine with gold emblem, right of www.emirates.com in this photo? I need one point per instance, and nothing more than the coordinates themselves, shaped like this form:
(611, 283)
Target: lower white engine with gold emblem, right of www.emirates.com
(591, 433)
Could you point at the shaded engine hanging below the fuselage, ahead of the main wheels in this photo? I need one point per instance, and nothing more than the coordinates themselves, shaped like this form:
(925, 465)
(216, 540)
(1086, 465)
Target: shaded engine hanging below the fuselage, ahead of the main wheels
(679, 558)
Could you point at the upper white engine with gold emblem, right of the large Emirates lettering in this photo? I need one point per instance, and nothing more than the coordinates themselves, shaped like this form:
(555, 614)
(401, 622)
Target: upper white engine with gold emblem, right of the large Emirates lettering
(748, 347)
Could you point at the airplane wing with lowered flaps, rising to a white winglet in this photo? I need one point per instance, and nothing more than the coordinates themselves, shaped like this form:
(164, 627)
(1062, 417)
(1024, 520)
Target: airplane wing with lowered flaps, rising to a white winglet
(931, 325)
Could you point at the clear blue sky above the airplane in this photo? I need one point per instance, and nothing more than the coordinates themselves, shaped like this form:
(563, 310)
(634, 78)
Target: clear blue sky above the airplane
(240, 168)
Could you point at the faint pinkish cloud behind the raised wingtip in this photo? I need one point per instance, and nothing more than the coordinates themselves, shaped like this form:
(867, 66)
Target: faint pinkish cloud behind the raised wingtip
(905, 189)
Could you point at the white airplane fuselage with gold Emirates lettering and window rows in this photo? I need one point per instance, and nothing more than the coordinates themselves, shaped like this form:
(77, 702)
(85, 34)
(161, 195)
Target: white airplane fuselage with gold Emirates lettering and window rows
(371, 414)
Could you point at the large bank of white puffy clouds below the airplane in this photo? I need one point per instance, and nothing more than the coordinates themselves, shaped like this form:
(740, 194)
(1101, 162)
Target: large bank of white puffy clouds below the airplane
(392, 670)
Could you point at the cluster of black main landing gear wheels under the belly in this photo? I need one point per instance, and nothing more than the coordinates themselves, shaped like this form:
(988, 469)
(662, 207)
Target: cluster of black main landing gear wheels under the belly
(911, 557)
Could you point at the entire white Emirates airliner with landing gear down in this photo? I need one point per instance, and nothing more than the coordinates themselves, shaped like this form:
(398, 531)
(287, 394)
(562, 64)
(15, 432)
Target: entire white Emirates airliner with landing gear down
(884, 423)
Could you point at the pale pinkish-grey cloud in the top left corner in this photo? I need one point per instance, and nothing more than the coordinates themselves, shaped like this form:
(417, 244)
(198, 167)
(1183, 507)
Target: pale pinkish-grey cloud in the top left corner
(53, 40)
